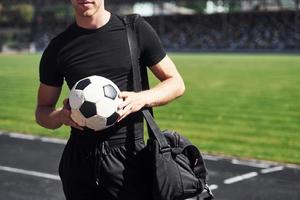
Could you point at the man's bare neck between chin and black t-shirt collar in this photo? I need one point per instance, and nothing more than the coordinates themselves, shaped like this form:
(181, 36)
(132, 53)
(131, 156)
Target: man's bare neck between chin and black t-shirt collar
(93, 22)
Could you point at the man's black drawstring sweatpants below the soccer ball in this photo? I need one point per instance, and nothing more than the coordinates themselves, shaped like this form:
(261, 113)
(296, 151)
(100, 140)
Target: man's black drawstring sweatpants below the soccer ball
(95, 169)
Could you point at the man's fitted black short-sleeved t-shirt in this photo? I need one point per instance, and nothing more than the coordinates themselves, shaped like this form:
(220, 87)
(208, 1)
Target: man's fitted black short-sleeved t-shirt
(77, 53)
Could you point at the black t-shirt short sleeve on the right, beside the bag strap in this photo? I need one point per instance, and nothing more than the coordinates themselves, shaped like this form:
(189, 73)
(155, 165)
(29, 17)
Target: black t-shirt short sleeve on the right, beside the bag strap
(152, 51)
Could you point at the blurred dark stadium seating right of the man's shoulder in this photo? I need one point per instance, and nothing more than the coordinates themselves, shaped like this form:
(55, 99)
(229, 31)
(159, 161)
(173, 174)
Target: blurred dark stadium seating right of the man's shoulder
(235, 31)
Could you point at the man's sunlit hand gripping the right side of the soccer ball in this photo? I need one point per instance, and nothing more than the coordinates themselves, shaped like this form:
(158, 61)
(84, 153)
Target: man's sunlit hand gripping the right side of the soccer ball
(132, 102)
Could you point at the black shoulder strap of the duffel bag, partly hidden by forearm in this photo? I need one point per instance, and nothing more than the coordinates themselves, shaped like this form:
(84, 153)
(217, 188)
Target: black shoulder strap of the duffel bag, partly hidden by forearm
(153, 129)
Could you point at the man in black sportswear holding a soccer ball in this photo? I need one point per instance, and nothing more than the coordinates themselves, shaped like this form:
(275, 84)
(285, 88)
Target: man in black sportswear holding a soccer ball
(106, 164)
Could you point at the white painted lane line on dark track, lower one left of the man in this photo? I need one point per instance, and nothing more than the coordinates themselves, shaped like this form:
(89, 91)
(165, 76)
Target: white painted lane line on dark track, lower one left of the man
(29, 172)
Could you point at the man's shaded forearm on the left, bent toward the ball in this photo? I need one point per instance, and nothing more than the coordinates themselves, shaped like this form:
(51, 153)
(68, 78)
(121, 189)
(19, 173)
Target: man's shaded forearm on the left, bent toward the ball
(48, 117)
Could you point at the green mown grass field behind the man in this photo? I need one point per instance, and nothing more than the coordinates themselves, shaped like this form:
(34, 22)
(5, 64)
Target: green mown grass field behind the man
(240, 105)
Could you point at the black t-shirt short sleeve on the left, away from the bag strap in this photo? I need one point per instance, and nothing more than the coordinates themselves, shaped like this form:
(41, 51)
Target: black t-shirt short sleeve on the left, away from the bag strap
(49, 70)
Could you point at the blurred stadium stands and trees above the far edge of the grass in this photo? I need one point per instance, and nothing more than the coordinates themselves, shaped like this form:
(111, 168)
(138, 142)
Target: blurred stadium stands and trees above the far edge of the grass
(194, 25)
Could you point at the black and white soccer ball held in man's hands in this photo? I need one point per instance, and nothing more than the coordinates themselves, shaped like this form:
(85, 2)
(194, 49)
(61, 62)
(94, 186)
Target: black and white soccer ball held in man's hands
(94, 102)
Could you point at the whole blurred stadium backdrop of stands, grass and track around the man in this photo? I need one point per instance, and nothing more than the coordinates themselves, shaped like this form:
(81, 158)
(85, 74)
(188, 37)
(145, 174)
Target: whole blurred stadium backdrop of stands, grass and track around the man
(241, 66)
